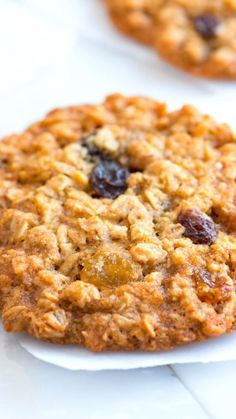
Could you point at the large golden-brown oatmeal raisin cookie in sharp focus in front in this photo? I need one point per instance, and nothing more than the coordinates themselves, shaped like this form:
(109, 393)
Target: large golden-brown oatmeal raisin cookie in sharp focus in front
(117, 227)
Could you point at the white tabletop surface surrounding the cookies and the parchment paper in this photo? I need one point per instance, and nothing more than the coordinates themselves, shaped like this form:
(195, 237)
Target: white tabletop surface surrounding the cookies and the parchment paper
(59, 52)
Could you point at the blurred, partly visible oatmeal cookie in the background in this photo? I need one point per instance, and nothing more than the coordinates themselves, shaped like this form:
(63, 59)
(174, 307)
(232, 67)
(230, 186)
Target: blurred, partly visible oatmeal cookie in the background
(197, 36)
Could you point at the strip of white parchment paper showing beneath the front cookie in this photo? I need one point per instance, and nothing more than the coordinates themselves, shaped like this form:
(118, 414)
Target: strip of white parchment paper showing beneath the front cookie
(75, 358)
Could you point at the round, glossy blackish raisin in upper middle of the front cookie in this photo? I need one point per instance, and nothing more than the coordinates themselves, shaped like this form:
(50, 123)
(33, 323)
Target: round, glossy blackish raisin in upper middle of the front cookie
(109, 179)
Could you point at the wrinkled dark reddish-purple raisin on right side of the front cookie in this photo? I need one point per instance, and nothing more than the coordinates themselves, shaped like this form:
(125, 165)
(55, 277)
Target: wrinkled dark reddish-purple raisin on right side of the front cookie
(198, 227)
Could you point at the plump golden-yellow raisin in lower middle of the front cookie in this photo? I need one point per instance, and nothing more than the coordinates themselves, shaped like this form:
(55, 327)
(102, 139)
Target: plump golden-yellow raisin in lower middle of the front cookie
(110, 267)
